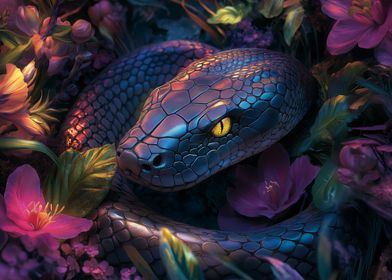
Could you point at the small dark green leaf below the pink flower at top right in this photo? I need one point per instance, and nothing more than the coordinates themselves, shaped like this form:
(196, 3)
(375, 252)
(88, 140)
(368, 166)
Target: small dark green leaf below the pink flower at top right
(342, 80)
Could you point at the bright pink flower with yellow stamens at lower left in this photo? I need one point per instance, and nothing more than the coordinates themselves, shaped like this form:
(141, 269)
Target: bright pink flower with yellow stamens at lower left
(23, 210)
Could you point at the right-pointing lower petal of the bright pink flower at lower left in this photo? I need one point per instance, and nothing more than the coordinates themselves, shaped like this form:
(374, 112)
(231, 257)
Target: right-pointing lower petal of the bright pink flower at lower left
(66, 227)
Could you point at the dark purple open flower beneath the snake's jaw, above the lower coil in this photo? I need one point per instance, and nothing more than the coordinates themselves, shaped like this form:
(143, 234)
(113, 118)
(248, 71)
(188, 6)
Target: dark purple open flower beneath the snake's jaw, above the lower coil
(272, 187)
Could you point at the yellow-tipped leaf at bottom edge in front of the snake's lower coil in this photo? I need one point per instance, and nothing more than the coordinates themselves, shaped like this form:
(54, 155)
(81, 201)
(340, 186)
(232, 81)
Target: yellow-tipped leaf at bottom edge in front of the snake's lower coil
(178, 259)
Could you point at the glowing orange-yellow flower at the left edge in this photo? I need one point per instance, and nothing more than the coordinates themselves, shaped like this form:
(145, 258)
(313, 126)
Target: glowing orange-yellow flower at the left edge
(14, 100)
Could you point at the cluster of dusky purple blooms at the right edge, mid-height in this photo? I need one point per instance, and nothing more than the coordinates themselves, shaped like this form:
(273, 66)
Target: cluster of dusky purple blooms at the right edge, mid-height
(366, 167)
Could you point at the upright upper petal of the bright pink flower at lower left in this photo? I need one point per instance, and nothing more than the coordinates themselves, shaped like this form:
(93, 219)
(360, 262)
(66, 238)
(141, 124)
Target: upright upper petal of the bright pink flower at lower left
(23, 187)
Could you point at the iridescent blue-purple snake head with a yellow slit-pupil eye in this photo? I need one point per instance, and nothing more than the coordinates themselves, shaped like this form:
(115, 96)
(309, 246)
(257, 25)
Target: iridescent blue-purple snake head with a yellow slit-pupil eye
(218, 111)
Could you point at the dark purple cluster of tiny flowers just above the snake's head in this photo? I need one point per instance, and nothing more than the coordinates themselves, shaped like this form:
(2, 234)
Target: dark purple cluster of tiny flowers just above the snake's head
(245, 35)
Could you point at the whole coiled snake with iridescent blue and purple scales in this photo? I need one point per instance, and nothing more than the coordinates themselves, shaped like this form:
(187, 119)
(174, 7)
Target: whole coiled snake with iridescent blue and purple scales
(179, 112)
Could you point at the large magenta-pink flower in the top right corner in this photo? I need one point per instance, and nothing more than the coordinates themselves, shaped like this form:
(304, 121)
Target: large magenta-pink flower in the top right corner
(366, 23)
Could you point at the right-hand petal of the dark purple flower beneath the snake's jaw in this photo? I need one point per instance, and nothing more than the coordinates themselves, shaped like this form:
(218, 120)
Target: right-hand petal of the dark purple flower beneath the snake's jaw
(301, 174)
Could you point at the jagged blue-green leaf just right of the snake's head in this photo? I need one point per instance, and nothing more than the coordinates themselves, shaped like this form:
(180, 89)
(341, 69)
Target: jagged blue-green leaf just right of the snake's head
(330, 124)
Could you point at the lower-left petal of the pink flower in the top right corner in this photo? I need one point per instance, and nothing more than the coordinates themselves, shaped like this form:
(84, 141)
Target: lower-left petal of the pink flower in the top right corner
(345, 35)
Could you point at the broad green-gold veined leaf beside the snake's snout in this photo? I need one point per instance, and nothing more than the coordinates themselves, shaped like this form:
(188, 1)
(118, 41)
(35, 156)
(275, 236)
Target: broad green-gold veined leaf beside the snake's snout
(82, 180)
